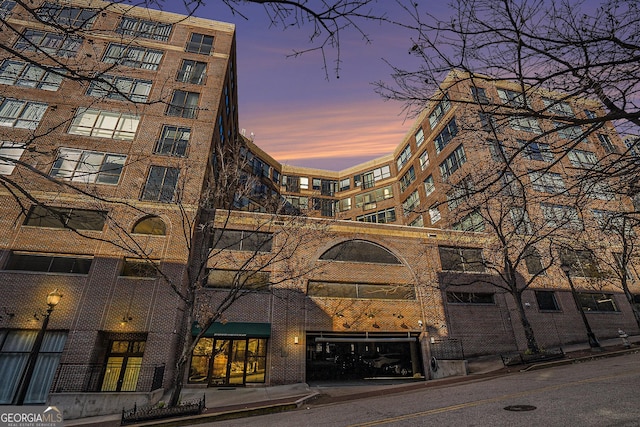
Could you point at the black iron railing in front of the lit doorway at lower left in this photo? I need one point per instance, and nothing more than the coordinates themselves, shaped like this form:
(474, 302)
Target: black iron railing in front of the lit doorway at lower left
(71, 377)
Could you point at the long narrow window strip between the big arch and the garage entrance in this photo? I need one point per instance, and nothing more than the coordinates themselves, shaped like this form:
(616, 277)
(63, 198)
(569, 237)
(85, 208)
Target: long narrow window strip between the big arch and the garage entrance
(360, 290)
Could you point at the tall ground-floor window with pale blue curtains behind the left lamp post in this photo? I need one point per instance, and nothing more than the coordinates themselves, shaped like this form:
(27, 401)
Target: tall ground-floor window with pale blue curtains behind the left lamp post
(15, 349)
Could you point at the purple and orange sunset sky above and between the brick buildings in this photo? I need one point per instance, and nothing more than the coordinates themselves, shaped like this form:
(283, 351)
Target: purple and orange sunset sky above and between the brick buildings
(298, 116)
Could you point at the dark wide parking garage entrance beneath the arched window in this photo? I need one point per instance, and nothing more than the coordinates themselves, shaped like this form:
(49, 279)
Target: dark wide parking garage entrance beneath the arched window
(334, 356)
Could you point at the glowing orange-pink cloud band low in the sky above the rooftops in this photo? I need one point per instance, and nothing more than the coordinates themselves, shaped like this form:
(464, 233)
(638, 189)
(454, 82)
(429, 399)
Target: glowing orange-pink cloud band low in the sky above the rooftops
(298, 135)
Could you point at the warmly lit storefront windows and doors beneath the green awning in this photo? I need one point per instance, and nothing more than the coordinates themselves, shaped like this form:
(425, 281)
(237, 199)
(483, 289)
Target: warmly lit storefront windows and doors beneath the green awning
(228, 361)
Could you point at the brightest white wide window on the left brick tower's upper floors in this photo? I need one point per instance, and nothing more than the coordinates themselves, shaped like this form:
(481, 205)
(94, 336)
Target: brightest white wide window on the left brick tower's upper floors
(104, 124)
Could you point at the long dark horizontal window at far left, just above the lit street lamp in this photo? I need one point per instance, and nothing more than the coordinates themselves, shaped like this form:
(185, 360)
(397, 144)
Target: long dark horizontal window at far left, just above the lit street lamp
(48, 263)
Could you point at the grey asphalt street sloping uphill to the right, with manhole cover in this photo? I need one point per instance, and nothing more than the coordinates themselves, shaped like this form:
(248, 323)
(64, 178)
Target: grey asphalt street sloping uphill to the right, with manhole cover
(604, 392)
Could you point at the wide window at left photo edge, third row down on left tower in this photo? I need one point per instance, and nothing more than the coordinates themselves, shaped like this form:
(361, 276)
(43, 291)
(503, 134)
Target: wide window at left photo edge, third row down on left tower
(28, 75)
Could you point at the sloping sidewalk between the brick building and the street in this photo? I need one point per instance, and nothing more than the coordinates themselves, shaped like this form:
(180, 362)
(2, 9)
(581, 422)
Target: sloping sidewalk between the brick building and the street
(237, 402)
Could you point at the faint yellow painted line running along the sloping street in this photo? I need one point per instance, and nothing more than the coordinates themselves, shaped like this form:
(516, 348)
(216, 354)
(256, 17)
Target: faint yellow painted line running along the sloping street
(491, 400)
